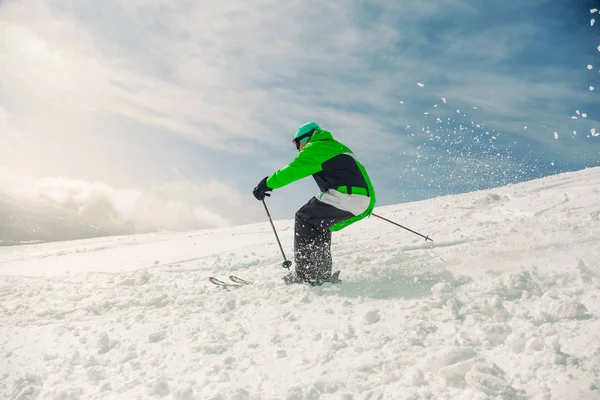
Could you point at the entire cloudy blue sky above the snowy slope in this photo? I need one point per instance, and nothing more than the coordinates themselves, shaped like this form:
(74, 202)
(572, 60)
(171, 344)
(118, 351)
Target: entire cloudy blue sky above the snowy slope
(169, 113)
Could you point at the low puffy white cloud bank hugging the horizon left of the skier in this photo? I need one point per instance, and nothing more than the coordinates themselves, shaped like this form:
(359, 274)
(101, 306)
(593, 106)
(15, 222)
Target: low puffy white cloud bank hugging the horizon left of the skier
(176, 206)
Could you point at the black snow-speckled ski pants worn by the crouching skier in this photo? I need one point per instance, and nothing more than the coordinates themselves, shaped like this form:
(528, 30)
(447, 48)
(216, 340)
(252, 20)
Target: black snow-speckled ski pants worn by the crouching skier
(312, 239)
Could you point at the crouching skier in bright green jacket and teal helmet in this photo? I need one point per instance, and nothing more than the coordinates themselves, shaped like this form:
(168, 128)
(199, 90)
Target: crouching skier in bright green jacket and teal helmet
(347, 196)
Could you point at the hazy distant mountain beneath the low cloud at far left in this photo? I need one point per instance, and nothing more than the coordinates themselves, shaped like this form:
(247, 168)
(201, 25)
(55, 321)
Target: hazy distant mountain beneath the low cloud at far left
(26, 221)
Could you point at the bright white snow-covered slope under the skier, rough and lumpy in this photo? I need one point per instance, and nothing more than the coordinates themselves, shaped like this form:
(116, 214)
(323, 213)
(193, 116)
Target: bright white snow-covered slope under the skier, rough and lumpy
(504, 304)
